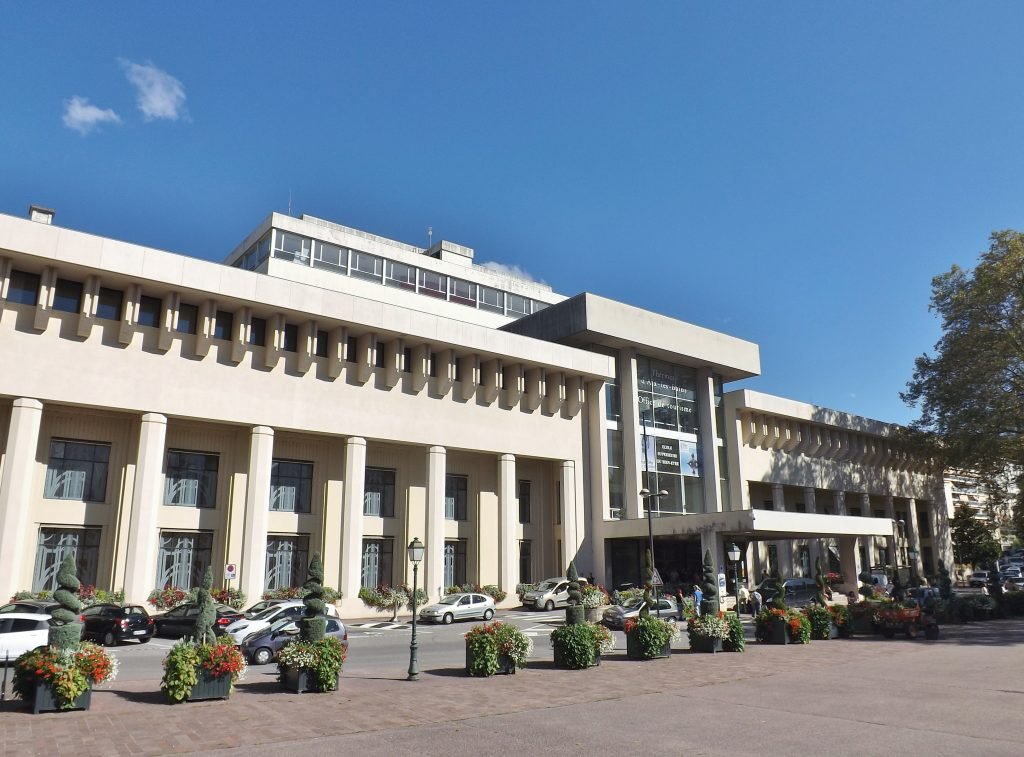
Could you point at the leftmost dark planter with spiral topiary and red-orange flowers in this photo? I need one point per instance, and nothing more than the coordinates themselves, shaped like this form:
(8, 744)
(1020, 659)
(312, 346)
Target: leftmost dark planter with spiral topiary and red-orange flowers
(61, 676)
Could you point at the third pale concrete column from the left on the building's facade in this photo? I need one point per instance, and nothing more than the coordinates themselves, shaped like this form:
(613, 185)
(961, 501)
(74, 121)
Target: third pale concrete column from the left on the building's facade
(253, 568)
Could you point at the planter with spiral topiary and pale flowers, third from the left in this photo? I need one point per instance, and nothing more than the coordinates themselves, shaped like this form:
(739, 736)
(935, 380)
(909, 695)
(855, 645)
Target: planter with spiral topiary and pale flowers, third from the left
(314, 662)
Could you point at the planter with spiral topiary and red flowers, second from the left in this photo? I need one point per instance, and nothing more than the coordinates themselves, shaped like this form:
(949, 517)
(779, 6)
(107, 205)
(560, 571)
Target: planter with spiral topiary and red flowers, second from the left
(202, 667)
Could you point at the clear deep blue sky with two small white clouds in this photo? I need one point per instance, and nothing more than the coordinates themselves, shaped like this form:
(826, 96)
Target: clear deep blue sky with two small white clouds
(790, 174)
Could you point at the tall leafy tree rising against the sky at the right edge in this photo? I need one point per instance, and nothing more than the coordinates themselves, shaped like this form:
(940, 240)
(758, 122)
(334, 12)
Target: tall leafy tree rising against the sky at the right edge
(971, 392)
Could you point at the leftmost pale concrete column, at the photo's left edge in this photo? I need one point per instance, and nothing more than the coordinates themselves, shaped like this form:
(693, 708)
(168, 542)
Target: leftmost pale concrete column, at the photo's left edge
(16, 495)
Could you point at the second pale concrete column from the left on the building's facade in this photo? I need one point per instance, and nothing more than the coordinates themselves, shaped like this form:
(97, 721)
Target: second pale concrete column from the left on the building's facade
(148, 495)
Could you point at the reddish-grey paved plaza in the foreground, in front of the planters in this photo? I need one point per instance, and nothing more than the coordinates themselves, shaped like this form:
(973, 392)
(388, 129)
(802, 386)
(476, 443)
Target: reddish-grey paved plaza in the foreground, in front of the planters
(960, 696)
